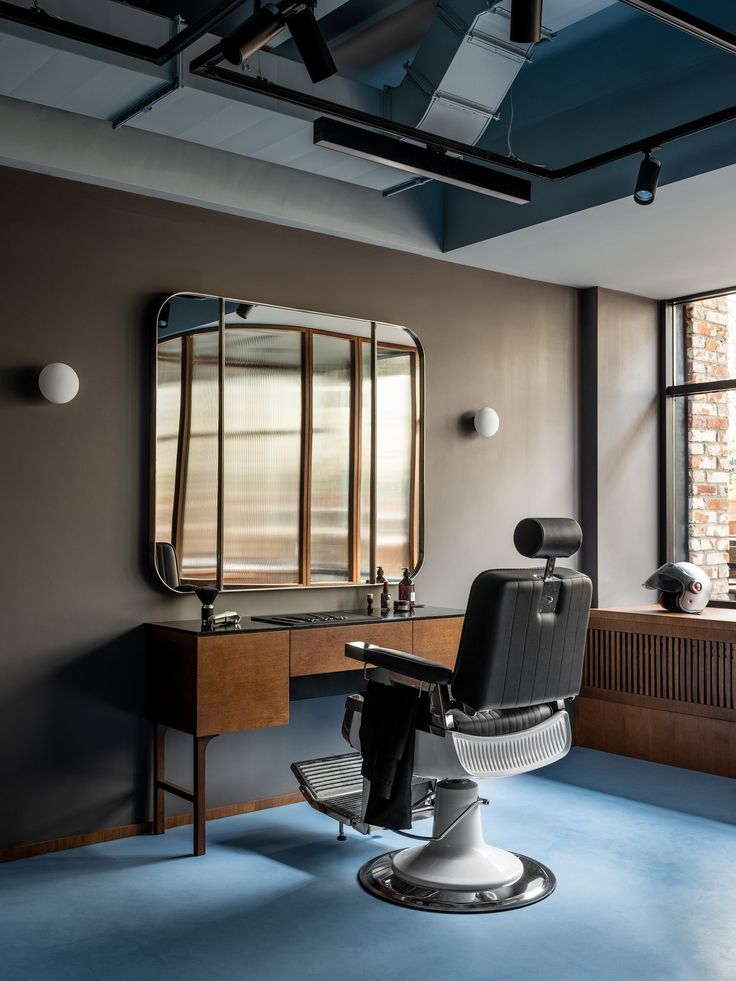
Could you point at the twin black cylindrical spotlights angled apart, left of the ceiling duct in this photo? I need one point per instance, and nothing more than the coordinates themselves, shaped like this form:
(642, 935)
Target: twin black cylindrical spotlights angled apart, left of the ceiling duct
(263, 26)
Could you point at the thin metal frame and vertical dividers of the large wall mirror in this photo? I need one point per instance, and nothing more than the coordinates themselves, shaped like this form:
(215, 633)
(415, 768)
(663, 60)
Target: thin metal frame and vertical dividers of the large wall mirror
(421, 406)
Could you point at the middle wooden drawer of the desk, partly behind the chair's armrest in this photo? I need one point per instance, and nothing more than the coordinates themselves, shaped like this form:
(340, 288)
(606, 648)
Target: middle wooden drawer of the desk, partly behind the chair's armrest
(322, 649)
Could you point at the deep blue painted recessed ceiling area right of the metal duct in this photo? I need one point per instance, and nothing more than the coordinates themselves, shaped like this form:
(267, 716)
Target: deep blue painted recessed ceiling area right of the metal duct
(614, 78)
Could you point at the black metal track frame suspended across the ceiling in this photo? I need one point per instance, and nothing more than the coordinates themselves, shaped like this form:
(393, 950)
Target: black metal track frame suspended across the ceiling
(208, 65)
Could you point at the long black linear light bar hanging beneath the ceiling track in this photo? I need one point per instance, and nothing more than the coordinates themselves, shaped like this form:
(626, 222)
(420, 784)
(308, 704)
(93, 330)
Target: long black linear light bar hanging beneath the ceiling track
(419, 160)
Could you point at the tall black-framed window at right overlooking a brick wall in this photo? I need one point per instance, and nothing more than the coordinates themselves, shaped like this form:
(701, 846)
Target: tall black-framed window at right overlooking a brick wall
(700, 426)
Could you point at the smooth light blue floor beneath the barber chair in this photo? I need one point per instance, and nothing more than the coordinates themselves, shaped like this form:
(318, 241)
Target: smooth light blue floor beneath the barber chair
(645, 859)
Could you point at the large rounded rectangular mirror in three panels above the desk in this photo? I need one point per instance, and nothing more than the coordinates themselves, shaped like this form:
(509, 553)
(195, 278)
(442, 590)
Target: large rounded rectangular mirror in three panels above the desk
(287, 447)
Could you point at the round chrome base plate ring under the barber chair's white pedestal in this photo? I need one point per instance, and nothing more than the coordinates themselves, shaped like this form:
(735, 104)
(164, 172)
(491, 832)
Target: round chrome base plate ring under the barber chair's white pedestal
(378, 878)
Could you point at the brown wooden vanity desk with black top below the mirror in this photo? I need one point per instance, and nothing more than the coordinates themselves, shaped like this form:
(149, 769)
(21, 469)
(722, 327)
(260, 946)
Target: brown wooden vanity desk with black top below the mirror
(206, 684)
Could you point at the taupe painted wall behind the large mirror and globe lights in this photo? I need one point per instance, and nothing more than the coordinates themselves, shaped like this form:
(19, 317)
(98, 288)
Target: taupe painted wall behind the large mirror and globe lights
(82, 270)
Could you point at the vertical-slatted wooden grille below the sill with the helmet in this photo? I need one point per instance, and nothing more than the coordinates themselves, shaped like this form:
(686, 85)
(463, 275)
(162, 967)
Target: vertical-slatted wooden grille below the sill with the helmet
(678, 669)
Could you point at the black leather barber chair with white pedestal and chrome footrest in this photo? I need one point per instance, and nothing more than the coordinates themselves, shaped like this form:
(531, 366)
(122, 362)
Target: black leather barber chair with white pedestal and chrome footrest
(500, 712)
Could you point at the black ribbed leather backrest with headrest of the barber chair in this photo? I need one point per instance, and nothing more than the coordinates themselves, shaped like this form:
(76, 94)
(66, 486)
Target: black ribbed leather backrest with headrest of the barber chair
(523, 639)
